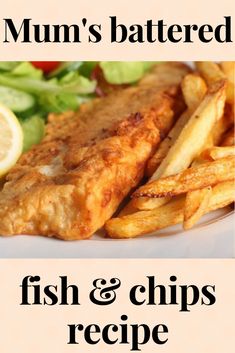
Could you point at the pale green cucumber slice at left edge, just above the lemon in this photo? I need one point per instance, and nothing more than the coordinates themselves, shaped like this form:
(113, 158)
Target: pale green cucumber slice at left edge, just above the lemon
(18, 101)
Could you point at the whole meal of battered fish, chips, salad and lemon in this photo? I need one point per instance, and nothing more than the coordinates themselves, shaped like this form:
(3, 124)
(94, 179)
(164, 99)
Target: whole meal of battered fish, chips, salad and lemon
(140, 154)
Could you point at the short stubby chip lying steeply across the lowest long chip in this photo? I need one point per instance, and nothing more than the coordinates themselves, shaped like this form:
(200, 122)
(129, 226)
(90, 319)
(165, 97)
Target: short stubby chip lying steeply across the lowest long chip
(196, 203)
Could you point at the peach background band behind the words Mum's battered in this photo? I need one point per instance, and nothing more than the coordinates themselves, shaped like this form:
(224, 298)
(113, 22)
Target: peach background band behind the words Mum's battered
(129, 12)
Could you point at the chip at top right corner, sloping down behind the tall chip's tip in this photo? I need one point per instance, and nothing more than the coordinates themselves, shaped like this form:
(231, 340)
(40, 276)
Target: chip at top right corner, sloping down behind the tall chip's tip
(212, 73)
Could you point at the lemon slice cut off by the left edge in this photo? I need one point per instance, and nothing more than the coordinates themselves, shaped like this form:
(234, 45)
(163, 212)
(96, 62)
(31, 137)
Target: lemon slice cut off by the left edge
(11, 140)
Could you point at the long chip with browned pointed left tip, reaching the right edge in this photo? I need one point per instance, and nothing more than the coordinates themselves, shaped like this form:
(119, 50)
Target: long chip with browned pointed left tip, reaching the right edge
(193, 178)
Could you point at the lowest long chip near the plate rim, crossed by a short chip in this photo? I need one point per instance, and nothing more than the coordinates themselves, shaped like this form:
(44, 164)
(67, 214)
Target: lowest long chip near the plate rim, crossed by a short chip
(144, 222)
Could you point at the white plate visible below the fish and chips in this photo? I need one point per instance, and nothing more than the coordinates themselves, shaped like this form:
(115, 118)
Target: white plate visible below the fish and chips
(212, 238)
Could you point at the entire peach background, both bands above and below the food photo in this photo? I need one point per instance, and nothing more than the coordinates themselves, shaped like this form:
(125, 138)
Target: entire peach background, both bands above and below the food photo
(40, 329)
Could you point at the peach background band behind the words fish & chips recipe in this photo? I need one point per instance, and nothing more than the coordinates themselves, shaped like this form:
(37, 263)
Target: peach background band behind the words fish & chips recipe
(41, 329)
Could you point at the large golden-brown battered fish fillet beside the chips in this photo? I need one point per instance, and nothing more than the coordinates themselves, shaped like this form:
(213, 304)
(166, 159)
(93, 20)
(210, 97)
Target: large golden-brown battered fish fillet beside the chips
(71, 184)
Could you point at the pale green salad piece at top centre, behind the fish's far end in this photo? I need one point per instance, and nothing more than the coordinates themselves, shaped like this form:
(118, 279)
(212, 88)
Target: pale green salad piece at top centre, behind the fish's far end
(124, 72)
